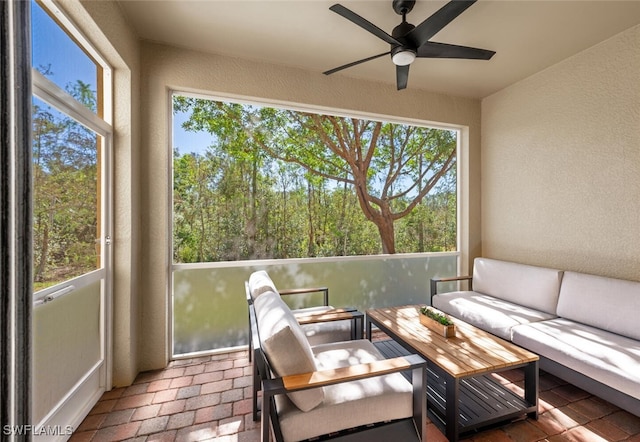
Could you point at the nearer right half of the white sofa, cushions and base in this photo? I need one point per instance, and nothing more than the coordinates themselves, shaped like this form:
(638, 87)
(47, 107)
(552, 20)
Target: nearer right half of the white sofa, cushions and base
(596, 342)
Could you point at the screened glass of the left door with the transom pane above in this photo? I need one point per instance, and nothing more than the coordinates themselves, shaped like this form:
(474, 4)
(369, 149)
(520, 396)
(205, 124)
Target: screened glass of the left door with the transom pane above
(70, 139)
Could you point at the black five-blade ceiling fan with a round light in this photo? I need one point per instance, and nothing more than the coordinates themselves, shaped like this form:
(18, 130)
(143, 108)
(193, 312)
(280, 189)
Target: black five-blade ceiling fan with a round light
(408, 41)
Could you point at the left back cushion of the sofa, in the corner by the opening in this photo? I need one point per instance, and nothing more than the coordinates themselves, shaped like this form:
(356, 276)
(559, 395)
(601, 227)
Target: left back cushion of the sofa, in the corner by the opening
(534, 287)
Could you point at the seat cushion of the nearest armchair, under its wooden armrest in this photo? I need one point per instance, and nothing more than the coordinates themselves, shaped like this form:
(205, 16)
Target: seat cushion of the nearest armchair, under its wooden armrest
(349, 404)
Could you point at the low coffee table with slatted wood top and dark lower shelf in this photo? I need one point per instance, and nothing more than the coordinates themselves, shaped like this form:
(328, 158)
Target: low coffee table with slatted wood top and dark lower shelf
(461, 394)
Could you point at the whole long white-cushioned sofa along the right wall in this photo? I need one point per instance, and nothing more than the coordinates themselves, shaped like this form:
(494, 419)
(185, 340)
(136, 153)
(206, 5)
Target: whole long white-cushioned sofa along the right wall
(585, 328)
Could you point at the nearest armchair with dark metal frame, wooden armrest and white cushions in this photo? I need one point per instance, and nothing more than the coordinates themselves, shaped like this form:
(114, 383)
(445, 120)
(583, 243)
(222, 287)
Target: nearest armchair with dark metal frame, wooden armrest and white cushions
(341, 391)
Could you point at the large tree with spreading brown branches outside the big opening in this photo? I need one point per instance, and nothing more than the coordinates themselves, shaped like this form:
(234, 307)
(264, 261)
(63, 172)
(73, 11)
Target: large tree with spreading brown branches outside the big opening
(390, 167)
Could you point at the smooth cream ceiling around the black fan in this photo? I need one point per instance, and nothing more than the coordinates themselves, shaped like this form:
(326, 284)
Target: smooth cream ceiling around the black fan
(528, 36)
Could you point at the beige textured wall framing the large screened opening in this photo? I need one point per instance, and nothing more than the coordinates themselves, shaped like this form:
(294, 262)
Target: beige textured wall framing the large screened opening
(166, 68)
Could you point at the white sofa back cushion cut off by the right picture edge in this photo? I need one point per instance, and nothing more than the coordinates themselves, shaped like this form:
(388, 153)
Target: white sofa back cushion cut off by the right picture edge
(607, 303)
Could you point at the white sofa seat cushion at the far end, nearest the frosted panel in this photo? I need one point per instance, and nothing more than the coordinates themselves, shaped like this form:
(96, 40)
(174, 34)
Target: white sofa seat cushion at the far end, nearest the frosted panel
(491, 314)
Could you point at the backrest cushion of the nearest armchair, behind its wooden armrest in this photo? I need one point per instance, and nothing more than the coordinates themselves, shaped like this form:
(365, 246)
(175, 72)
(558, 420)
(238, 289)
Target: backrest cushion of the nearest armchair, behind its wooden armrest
(285, 346)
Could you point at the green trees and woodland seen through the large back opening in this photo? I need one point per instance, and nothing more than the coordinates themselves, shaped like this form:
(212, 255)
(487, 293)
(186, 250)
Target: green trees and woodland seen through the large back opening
(275, 183)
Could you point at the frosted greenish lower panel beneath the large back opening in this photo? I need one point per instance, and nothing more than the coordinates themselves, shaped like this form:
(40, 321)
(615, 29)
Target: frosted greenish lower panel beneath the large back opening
(210, 309)
